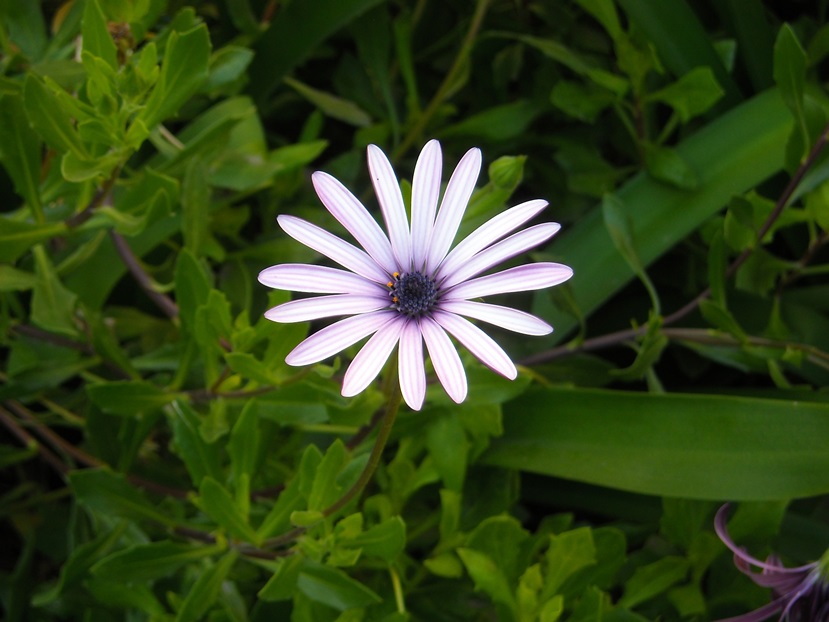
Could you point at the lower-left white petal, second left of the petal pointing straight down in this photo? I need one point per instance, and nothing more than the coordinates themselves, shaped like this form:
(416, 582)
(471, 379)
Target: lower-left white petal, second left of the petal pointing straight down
(337, 337)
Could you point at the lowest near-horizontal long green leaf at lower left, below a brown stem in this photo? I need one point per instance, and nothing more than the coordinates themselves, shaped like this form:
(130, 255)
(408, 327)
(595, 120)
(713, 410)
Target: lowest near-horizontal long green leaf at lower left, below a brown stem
(147, 562)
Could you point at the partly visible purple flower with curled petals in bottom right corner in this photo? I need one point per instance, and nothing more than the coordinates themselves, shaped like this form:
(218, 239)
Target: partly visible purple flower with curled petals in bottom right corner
(801, 594)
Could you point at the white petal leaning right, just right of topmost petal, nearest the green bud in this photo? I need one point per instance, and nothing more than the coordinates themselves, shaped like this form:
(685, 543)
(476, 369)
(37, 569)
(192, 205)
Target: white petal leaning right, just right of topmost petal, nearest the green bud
(453, 206)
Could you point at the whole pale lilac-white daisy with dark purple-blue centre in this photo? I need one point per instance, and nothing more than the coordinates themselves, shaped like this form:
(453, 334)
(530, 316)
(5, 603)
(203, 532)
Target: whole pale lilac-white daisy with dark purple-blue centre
(408, 288)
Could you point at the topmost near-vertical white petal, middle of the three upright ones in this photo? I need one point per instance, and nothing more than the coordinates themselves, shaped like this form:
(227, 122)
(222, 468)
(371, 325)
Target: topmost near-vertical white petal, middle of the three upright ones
(425, 194)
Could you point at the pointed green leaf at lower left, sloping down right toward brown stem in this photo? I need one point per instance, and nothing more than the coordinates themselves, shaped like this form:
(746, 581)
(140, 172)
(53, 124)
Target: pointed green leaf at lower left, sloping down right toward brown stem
(109, 493)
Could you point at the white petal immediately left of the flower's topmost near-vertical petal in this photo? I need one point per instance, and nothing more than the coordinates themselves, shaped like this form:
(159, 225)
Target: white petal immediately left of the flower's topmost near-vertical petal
(388, 193)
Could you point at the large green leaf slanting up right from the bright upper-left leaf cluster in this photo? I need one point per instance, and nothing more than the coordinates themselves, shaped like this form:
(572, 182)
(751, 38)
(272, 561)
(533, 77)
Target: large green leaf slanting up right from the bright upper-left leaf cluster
(183, 71)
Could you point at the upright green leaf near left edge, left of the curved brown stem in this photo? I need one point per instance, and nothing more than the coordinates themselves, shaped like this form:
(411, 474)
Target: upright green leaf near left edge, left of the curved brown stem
(53, 305)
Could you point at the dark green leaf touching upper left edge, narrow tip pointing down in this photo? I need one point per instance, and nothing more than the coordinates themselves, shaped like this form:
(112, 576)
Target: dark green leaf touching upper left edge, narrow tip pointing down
(20, 151)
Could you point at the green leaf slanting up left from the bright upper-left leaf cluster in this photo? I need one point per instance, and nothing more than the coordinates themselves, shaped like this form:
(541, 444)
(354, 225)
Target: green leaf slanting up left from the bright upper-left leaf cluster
(50, 118)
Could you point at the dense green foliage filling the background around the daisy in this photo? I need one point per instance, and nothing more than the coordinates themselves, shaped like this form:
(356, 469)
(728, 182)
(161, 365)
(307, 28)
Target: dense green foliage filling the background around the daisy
(161, 462)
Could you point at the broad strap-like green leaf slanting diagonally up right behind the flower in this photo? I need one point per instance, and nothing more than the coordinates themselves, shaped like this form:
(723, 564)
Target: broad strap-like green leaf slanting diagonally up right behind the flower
(732, 154)
